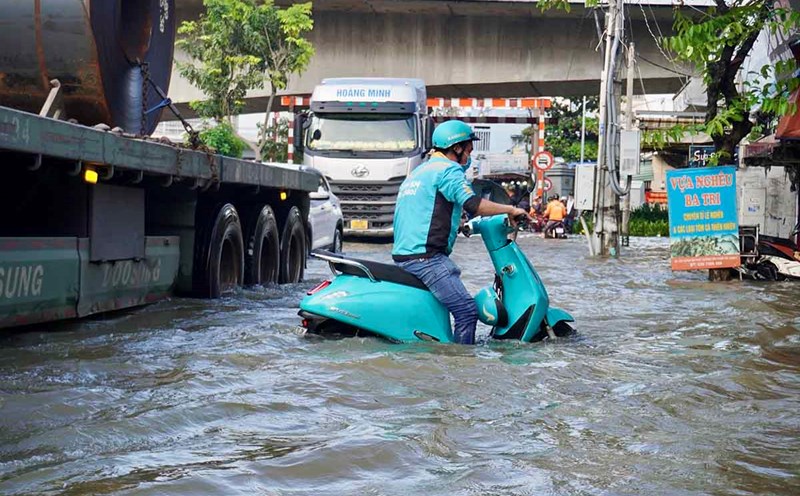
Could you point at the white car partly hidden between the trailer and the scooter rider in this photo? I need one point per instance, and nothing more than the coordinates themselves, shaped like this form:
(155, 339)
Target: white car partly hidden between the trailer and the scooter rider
(325, 216)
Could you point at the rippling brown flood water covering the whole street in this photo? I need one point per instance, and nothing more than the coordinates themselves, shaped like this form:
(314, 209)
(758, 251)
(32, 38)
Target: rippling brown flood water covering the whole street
(672, 385)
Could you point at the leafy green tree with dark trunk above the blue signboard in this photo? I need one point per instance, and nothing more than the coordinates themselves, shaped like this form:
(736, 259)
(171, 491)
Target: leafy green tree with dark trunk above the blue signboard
(718, 42)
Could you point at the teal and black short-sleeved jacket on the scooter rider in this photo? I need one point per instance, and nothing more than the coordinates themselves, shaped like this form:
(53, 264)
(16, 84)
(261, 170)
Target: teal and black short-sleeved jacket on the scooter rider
(428, 210)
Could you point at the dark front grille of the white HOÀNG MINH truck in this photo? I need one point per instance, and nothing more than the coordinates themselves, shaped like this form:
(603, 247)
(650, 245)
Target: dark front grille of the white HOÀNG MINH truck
(371, 201)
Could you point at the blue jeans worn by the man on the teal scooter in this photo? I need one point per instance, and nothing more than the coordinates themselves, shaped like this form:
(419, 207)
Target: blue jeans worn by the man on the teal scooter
(442, 277)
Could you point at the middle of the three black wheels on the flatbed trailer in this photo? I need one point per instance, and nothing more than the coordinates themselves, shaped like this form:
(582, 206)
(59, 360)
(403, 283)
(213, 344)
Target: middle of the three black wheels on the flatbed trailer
(263, 255)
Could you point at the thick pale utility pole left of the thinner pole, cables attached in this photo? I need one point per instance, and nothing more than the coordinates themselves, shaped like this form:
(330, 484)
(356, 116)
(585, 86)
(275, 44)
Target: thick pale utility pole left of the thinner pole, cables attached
(605, 236)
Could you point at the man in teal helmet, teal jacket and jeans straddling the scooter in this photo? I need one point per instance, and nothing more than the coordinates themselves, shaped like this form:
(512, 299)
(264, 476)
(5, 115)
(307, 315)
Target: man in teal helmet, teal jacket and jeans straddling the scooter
(427, 218)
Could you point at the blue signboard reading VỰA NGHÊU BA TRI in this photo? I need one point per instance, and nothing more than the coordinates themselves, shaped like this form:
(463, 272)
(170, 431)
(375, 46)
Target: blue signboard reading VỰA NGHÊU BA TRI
(703, 225)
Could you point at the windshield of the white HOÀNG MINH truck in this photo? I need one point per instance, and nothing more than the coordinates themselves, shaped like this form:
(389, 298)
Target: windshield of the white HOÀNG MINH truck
(362, 132)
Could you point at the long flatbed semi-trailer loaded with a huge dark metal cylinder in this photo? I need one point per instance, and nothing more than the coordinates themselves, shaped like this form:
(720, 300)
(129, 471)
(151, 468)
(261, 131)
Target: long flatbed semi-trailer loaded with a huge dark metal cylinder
(97, 216)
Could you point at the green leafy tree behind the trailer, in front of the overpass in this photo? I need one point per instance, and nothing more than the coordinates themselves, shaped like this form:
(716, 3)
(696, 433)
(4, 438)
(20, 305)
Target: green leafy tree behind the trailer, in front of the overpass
(240, 45)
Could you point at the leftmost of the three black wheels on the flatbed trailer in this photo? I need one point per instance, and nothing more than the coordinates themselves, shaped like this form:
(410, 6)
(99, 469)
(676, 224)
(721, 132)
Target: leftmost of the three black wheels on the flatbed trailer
(224, 266)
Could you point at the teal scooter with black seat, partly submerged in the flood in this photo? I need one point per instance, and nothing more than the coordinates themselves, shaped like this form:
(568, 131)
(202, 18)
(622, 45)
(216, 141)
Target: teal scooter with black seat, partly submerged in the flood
(371, 298)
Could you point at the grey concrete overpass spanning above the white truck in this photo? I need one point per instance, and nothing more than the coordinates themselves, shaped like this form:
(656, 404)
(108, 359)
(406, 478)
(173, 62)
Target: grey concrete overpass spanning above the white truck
(470, 48)
